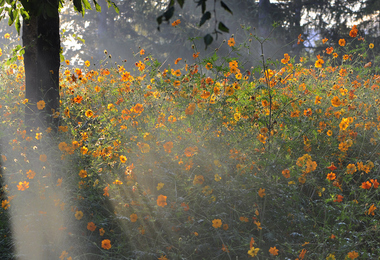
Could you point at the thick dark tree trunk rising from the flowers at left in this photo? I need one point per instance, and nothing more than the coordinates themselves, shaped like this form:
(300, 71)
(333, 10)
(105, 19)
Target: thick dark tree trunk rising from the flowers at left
(42, 60)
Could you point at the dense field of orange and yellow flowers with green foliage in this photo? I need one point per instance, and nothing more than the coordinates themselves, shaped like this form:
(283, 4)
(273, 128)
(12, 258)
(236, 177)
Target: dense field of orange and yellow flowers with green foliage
(198, 159)
